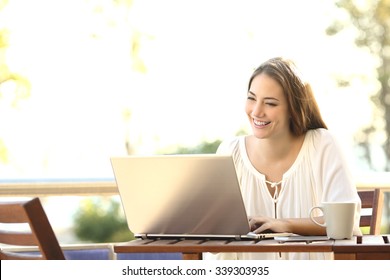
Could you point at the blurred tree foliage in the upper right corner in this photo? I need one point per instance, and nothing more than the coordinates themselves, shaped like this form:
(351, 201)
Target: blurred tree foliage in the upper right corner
(371, 21)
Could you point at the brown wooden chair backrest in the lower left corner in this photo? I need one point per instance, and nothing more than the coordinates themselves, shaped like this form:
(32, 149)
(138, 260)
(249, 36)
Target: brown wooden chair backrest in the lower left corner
(41, 233)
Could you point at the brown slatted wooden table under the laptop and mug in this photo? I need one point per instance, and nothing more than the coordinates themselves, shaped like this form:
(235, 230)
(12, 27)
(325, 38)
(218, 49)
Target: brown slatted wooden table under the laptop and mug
(366, 247)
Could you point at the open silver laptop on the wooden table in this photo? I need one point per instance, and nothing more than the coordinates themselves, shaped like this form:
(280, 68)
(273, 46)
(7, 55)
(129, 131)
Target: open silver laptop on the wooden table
(182, 196)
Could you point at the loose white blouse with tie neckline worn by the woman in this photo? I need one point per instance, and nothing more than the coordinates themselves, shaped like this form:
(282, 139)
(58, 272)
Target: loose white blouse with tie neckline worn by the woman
(319, 174)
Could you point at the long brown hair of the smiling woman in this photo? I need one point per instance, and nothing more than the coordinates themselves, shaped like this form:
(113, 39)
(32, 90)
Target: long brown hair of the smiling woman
(303, 107)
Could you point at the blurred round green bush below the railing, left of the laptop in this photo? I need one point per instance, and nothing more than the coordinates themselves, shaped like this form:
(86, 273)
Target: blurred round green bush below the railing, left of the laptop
(101, 220)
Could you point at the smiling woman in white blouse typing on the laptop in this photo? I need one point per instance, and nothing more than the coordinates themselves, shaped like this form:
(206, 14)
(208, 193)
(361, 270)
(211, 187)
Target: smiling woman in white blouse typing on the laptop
(290, 163)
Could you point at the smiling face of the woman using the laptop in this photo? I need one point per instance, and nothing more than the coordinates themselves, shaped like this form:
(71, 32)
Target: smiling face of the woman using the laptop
(267, 108)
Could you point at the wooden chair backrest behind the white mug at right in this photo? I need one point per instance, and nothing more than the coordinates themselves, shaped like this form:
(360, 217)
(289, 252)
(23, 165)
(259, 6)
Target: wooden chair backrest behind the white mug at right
(373, 199)
